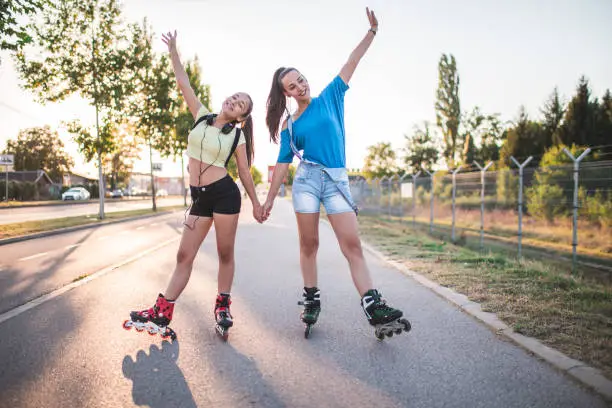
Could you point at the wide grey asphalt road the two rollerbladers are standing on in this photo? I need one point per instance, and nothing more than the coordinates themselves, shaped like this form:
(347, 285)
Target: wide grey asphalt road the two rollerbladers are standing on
(71, 351)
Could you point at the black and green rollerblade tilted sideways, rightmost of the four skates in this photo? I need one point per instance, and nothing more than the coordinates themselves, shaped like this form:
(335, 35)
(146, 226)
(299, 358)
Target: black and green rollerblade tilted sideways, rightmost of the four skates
(385, 319)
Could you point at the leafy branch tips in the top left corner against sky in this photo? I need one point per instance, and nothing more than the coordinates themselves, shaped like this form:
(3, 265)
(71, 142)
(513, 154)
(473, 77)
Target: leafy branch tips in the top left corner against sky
(13, 35)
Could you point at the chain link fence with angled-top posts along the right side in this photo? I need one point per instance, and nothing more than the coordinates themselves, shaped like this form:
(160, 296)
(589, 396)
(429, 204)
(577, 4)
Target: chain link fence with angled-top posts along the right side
(560, 212)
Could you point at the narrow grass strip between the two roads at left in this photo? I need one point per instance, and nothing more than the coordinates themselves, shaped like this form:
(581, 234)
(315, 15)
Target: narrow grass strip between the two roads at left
(32, 227)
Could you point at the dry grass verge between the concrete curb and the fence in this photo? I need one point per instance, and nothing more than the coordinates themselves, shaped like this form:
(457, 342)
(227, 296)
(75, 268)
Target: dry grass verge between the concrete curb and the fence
(542, 300)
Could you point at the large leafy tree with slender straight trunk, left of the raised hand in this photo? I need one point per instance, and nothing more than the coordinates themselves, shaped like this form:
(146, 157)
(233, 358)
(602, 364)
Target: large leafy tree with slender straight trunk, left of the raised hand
(81, 50)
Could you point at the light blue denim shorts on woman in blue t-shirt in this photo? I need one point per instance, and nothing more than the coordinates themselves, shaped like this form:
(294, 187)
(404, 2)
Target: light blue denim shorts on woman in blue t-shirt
(312, 187)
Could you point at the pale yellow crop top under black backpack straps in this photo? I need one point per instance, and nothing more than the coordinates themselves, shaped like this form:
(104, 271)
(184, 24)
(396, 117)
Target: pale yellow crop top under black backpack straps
(212, 147)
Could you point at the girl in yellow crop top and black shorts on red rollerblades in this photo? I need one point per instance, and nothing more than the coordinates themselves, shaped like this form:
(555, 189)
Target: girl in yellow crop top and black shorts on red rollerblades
(215, 198)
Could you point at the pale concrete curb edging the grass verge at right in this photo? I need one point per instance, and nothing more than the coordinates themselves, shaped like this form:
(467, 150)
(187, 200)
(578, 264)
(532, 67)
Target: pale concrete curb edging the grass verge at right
(579, 370)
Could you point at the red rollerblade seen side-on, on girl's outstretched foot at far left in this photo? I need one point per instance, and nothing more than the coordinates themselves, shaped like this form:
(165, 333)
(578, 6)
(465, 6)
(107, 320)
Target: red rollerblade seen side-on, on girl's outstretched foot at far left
(154, 320)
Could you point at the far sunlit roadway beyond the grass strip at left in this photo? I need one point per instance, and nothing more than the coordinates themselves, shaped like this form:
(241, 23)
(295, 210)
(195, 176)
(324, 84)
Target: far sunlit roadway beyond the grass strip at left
(21, 214)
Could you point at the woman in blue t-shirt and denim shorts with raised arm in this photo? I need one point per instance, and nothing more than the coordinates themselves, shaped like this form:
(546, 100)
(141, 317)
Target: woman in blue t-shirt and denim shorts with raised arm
(317, 129)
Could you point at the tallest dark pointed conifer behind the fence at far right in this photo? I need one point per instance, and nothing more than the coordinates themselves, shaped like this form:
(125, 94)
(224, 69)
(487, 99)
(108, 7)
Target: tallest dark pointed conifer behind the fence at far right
(579, 123)
